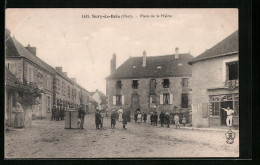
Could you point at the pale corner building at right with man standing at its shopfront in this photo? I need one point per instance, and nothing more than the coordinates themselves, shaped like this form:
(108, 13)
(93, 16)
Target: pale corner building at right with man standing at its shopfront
(215, 83)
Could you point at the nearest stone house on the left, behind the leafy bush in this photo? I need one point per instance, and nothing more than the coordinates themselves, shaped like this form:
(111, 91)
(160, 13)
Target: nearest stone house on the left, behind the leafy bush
(27, 67)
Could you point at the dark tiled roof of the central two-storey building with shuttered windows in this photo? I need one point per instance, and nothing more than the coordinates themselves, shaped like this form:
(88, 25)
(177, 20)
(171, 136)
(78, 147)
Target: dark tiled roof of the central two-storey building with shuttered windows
(132, 68)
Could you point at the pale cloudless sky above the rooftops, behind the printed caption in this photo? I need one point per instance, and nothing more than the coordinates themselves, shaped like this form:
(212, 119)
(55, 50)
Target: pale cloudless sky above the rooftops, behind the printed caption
(84, 46)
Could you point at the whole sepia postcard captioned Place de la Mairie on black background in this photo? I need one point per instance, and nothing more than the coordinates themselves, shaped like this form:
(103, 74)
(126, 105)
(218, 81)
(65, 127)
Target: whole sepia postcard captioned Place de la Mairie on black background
(121, 83)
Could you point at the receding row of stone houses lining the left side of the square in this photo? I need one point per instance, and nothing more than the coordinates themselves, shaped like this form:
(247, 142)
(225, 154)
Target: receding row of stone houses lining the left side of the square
(57, 88)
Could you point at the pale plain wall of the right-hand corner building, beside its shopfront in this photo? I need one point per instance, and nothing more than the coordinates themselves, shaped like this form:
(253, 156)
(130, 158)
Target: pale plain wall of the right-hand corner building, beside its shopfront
(206, 74)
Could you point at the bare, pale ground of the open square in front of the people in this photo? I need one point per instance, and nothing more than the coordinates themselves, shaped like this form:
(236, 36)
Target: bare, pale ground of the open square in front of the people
(49, 139)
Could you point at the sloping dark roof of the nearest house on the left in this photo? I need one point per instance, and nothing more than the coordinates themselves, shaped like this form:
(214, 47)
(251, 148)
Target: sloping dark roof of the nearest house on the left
(15, 49)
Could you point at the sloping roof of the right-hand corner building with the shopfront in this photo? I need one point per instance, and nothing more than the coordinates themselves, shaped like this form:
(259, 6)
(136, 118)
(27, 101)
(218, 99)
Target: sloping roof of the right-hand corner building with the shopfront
(224, 47)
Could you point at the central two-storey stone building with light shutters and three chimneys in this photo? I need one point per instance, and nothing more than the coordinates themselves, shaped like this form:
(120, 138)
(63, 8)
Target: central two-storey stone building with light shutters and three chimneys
(151, 83)
